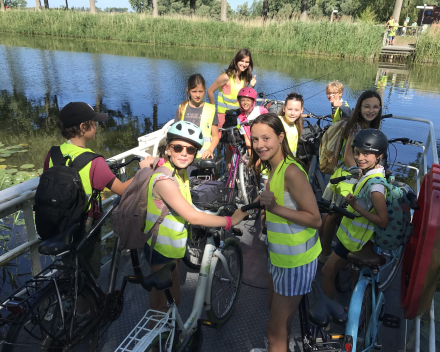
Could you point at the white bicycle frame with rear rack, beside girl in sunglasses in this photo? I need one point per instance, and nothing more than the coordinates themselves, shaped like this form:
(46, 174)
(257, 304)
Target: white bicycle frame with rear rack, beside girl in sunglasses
(169, 321)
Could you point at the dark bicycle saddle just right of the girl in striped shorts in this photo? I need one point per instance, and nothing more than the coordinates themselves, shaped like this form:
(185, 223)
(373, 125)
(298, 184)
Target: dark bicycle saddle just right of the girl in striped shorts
(325, 309)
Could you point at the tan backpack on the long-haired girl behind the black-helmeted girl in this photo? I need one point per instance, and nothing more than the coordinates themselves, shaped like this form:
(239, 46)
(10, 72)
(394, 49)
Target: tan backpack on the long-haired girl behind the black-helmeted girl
(330, 147)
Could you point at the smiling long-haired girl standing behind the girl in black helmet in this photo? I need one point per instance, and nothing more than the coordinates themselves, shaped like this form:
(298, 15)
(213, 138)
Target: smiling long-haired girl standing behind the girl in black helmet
(366, 114)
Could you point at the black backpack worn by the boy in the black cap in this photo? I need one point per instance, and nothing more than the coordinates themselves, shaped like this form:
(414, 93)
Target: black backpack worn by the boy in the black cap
(60, 200)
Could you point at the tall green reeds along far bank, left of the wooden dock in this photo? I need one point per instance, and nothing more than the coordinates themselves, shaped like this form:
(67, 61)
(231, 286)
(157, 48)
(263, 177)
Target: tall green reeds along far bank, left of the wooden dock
(341, 39)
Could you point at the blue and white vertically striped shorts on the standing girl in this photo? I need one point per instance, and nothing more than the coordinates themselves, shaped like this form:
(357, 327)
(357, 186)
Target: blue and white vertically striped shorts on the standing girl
(293, 281)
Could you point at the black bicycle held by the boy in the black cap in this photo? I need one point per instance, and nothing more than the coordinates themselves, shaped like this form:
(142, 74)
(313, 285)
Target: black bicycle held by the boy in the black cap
(43, 313)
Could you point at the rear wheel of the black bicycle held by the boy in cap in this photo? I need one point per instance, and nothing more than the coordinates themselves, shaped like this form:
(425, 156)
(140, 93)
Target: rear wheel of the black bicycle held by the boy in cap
(41, 328)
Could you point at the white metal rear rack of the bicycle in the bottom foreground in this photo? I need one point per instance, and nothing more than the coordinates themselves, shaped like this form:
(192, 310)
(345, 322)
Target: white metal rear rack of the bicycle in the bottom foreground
(142, 336)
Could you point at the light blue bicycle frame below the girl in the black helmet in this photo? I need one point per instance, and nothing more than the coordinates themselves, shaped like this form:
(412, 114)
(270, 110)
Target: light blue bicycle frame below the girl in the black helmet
(366, 277)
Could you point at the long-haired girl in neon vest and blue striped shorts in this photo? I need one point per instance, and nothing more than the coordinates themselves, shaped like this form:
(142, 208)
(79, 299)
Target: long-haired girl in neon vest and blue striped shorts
(292, 220)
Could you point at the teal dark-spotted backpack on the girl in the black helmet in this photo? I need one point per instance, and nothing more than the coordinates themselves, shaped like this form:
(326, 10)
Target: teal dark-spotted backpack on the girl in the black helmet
(399, 228)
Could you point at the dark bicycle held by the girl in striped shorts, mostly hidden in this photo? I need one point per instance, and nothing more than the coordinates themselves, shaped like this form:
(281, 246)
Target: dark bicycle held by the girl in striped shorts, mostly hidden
(313, 319)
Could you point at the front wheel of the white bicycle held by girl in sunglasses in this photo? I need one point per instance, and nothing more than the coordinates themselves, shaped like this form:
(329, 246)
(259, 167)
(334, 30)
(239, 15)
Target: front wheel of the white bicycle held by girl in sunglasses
(224, 293)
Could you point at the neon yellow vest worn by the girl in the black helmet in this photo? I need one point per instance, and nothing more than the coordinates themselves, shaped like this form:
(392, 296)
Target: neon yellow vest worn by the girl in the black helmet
(353, 234)
